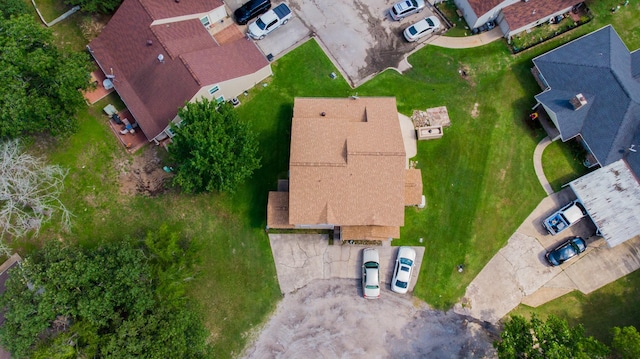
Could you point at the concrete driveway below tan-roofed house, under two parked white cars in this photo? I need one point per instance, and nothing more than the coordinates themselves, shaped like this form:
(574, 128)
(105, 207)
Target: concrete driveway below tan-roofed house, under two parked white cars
(303, 258)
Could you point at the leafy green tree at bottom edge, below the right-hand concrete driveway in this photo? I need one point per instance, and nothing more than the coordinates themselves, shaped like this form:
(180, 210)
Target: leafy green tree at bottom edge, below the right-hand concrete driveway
(522, 338)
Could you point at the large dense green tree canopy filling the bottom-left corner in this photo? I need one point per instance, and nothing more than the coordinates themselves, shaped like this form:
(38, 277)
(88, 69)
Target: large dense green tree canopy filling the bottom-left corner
(117, 300)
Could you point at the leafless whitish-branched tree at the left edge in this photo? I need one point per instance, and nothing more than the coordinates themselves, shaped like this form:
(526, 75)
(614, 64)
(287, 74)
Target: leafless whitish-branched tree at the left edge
(29, 191)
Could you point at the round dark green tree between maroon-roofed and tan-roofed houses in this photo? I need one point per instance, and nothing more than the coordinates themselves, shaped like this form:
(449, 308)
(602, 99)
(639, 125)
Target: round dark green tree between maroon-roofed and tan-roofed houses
(213, 149)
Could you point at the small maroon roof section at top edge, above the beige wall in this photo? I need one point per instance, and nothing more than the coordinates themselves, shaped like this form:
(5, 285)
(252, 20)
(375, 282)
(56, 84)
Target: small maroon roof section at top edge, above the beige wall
(163, 9)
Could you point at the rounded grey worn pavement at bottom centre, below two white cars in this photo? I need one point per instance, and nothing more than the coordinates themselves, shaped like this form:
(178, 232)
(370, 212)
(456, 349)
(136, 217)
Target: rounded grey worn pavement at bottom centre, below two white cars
(329, 319)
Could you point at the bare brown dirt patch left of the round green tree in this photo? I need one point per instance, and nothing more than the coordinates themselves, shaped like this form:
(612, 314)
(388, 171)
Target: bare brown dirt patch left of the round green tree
(143, 174)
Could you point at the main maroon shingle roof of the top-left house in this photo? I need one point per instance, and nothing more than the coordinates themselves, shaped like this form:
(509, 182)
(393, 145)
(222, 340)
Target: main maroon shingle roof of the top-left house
(154, 91)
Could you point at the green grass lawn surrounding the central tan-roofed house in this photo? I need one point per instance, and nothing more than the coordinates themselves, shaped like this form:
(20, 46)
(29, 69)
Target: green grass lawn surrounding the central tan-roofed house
(478, 179)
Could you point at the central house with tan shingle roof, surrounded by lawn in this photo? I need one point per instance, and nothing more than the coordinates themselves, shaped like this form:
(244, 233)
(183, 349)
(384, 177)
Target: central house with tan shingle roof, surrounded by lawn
(347, 170)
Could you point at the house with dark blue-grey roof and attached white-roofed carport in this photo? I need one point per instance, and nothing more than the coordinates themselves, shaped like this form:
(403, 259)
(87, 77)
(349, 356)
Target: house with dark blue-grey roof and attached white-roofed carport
(592, 94)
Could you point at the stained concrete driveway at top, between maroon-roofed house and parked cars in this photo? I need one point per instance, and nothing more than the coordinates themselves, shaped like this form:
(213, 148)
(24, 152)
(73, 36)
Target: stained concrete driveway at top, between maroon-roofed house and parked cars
(358, 36)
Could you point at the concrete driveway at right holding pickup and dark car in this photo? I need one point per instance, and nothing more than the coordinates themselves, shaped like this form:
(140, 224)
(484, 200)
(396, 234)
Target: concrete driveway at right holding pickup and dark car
(518, 273)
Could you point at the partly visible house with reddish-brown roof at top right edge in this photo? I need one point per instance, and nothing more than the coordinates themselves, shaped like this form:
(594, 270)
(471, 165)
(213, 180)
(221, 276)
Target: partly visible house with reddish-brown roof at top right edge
(512, 16)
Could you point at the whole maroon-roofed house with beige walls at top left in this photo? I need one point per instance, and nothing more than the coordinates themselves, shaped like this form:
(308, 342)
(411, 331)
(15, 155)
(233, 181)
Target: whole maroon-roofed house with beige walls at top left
(161, 54)
